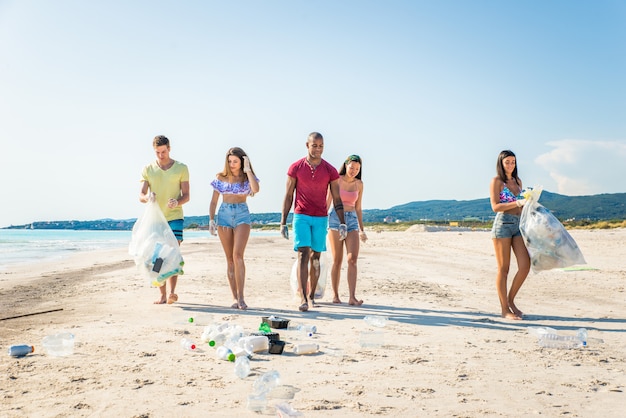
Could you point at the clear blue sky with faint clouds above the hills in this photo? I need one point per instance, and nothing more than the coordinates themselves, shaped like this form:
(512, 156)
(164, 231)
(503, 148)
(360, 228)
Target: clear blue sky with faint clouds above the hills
(427, 92)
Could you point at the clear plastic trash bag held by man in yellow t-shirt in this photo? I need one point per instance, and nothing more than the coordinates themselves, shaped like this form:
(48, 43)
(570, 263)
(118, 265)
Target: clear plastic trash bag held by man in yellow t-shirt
(154, 247)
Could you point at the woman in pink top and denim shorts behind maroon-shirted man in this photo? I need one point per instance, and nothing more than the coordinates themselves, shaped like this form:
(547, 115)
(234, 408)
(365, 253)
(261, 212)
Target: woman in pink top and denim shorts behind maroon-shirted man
(351, 193)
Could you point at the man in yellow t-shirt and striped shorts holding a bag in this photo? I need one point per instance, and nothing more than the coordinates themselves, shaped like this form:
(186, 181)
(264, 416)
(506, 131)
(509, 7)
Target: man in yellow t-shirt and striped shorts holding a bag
(167, 181)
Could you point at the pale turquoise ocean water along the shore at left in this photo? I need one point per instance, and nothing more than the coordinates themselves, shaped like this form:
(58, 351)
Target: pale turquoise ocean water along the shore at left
(22, 246)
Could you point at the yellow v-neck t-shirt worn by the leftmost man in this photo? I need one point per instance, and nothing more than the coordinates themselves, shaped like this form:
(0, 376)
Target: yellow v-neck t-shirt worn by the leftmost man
(166, 185)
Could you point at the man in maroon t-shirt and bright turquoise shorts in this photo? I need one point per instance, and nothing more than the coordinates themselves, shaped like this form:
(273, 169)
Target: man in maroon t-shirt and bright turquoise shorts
(310, 177)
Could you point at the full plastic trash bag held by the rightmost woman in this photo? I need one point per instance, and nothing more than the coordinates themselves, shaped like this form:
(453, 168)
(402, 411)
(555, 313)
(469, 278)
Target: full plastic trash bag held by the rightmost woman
(548, 242)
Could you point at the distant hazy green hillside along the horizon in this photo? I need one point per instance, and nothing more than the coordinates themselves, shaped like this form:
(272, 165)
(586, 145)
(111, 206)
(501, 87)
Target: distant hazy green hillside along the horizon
(593, 208)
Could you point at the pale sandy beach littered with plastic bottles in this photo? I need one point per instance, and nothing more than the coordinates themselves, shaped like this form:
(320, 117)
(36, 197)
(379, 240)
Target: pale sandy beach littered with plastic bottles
(446, 352)
